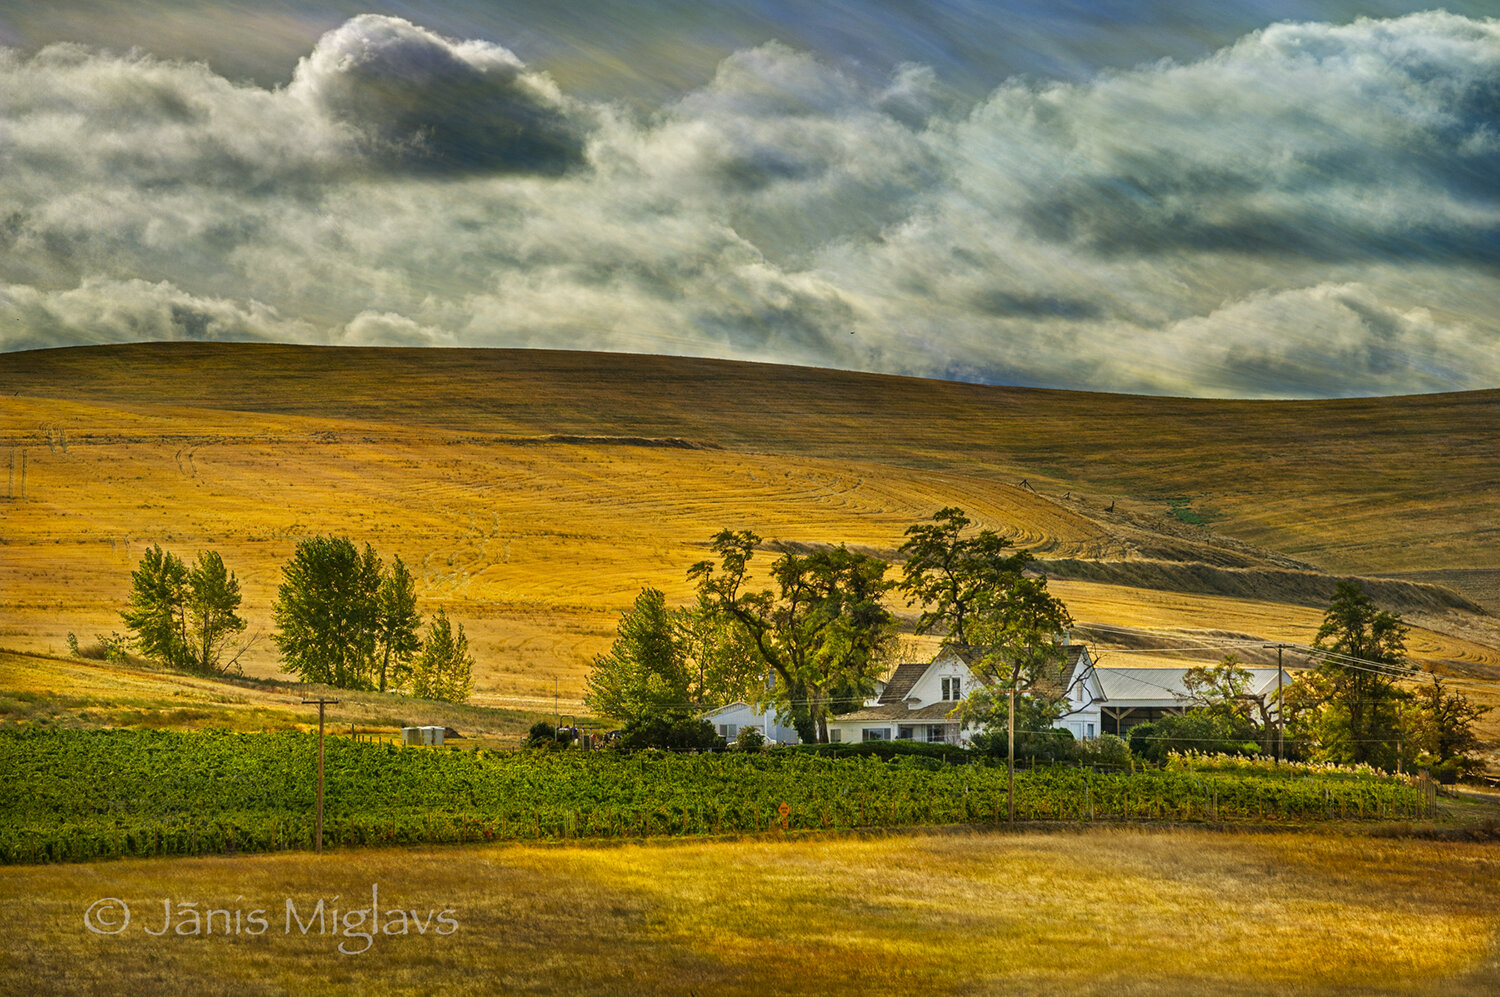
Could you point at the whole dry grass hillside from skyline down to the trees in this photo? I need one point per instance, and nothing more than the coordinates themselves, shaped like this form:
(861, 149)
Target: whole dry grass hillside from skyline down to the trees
(536, 493)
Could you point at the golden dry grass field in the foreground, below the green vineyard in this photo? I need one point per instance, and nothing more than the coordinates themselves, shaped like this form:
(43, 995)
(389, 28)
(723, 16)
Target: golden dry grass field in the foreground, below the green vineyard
(1096, 912)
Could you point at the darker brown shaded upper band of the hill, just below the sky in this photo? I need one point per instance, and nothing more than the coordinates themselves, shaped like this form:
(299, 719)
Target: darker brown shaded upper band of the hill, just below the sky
(1360, 485)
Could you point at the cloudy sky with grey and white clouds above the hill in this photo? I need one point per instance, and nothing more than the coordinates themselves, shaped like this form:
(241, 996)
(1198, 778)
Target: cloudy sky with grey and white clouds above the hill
(1288, 199)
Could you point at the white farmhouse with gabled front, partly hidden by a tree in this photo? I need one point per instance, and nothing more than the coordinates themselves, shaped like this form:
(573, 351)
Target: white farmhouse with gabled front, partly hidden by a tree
(919, 701)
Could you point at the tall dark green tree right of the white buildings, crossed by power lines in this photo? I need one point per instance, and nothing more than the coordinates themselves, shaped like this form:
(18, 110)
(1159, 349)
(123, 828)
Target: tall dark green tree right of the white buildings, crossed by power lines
(1364, 654)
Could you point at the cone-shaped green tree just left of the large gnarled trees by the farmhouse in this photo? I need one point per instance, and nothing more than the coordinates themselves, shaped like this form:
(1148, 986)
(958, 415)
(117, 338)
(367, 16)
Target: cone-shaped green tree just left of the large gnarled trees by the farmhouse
(646, 672)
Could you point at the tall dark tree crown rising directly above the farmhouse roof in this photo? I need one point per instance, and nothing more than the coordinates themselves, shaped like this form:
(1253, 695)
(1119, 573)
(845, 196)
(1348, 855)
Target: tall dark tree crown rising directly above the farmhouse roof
(955, 578)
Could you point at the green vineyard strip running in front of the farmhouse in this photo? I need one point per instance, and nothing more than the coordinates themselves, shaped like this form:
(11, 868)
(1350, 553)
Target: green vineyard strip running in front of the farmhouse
(76, 795)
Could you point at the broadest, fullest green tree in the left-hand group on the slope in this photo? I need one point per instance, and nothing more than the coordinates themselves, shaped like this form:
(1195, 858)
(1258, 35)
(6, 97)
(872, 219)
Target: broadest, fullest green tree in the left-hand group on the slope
(328, 612)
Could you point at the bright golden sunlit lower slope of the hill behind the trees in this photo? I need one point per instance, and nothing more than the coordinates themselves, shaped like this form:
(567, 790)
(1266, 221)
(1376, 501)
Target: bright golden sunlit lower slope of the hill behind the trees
(535, 548)
